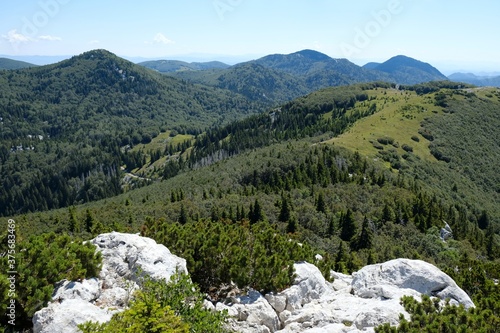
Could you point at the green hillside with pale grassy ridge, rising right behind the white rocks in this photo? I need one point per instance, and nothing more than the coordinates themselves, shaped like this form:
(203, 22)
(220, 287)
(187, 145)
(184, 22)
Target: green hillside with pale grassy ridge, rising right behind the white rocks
(359, 174)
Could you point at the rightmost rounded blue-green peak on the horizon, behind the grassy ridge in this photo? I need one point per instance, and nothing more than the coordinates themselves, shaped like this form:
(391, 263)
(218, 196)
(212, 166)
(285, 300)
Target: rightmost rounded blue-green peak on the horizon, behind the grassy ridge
(407, 70)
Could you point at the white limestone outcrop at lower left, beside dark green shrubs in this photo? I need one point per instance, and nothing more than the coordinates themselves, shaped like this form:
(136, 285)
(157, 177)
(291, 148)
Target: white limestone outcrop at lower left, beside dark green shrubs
(125, 257)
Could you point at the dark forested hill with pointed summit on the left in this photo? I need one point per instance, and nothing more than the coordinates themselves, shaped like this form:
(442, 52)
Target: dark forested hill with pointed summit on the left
(62, 125)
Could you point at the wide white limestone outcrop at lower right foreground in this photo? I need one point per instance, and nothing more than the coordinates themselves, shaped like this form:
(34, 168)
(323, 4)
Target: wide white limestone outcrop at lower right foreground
(357, 303)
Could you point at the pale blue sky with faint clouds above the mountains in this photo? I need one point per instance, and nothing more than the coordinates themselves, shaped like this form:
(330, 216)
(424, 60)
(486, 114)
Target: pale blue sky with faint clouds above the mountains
(451, 35)
